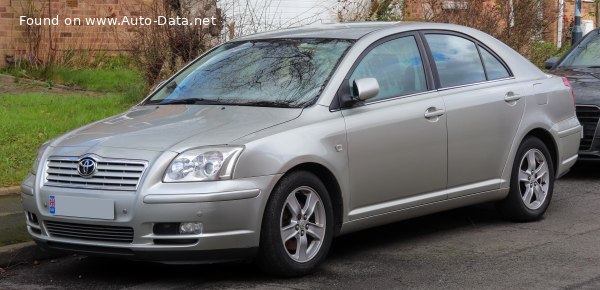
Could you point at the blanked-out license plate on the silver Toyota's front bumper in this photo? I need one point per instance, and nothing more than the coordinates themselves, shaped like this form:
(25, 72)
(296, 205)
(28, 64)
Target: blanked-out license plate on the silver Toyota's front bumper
(83, 207)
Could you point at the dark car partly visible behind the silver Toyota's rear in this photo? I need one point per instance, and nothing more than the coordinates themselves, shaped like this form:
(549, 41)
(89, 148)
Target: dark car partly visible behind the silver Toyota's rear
(581, 66)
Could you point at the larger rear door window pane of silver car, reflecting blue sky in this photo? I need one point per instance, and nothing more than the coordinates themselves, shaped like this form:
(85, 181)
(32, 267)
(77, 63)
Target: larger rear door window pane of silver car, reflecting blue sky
(456, 59)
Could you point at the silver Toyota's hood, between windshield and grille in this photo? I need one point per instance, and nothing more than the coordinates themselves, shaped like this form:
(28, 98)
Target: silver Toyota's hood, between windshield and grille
(159, 128)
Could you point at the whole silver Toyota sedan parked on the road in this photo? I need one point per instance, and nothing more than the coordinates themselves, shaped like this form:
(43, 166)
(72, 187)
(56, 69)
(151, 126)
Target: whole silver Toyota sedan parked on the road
(267, 147)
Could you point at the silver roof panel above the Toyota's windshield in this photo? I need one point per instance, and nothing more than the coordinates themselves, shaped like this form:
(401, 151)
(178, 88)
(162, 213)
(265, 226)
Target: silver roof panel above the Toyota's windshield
(345, 30)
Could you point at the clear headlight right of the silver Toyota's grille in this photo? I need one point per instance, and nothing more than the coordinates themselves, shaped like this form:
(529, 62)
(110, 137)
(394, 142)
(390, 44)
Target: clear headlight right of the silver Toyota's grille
(203, 164)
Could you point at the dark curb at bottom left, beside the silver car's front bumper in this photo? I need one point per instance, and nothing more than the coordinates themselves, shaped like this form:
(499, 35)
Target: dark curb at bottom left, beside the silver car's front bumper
(23, 253)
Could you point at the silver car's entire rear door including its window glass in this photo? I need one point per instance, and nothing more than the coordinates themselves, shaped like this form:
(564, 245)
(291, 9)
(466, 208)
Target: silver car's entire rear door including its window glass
(484, 106)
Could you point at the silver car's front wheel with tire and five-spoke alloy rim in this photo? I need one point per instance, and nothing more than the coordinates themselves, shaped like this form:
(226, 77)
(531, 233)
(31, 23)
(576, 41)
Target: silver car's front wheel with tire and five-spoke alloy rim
(308, 233)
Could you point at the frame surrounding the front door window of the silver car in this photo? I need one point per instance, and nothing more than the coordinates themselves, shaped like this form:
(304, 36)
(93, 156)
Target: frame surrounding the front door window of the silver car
(429, 79)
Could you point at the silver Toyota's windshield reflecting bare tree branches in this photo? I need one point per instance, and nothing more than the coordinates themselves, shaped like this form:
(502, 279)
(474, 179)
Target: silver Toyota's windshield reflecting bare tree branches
(280, 73)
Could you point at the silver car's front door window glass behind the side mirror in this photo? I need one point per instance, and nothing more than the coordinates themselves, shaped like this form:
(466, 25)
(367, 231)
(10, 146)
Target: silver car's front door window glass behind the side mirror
(397, 66)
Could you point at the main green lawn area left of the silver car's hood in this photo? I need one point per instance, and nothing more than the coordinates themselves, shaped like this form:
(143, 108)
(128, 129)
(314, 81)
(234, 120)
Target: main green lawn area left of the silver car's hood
(28, 120)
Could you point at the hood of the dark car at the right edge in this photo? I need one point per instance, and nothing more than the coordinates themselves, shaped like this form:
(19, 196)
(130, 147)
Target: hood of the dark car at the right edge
(585, 83)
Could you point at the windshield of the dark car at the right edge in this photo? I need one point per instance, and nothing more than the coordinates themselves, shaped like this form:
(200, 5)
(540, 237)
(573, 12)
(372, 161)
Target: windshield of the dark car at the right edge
(586, 54)
